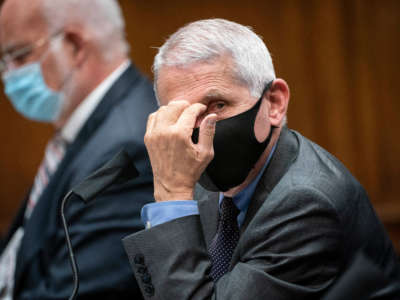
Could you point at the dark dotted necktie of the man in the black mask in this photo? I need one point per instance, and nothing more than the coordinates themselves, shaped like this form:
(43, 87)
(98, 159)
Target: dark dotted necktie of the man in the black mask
(226, 239)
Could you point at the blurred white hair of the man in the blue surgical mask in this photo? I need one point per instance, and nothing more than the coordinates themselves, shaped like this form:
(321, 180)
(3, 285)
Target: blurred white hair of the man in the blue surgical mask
(102, 18)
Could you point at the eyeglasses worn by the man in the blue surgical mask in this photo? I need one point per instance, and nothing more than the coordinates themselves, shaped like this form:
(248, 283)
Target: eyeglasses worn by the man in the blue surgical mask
(19, 56)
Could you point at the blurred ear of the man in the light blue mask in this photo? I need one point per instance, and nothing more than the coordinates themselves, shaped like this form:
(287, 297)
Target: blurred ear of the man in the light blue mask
(76, 44)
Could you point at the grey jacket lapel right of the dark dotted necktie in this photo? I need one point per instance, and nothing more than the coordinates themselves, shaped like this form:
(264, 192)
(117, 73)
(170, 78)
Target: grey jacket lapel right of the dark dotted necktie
(285, 154)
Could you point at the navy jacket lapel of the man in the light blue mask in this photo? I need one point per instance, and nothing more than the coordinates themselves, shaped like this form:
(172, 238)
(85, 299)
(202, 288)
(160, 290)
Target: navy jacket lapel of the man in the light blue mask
(43, 223)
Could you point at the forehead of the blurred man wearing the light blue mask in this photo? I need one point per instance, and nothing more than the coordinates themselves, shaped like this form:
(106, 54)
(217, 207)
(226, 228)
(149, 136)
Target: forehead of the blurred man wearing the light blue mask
(20, 23)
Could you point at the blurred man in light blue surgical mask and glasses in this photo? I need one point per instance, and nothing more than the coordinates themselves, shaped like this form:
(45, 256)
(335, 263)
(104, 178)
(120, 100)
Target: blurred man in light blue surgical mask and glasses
(66, 62)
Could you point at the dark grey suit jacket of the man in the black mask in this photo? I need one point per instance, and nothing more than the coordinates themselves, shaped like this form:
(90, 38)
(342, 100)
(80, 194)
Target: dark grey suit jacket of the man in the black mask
(307, 218)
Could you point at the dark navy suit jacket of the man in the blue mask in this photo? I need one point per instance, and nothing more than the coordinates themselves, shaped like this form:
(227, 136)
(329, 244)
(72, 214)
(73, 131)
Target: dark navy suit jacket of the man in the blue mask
(43, 270)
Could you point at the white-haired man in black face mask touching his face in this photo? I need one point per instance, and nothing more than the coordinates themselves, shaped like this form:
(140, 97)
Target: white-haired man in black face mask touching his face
(274, 215)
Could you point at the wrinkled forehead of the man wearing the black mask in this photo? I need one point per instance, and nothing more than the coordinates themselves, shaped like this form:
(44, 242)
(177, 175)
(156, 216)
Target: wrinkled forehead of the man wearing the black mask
(197, 82)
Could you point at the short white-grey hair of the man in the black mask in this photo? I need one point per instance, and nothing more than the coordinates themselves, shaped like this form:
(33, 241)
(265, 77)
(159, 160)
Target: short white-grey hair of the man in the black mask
(206, 40)
